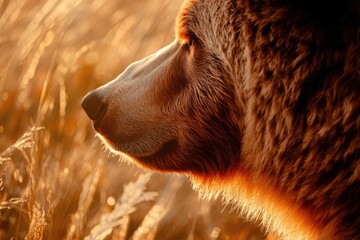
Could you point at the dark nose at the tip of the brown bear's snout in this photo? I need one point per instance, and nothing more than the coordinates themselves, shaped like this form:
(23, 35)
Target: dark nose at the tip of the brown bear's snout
(94, 105)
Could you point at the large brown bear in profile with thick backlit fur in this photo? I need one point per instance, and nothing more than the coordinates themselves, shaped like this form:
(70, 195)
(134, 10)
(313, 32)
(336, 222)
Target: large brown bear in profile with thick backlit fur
(256, 100)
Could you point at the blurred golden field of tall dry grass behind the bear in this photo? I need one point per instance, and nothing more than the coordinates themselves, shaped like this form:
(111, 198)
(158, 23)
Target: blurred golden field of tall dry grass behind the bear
(56, 179)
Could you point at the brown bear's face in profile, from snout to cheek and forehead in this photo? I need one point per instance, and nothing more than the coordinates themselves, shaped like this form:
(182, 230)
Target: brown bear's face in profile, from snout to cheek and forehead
(180, 109)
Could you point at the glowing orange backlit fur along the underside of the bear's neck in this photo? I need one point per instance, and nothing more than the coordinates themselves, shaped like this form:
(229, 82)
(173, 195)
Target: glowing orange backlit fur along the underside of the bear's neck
(257, 200)
